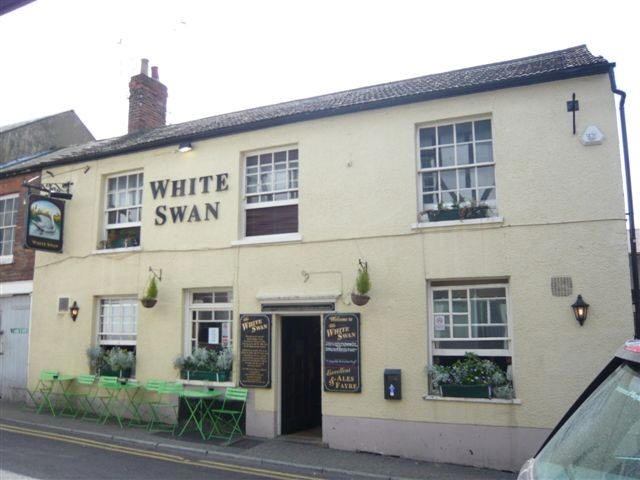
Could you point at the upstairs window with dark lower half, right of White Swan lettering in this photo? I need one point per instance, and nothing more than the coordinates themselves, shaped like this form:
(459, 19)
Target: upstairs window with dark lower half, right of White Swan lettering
(271, 192)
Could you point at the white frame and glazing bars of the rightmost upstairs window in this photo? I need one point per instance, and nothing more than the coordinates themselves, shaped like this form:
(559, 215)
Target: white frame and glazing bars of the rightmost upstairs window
(493, 203)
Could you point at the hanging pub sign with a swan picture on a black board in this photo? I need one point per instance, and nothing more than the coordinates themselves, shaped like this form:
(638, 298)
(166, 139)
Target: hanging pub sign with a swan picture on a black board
(45, 223)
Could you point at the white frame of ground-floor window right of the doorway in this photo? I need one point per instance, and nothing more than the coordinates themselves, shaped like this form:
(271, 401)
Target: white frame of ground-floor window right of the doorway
(436, 352)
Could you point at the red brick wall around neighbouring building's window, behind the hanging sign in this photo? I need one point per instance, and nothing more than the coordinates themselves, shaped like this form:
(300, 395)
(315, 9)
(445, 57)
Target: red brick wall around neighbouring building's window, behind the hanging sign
(22, 266)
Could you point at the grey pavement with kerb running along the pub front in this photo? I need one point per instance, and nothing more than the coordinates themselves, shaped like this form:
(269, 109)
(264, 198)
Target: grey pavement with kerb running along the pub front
(282, 451)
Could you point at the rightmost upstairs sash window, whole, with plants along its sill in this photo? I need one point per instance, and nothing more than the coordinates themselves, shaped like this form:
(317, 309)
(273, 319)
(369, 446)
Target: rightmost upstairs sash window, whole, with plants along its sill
(456, 171)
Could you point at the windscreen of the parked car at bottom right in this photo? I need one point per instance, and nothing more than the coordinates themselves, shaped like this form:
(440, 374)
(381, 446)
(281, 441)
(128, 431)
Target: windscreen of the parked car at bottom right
(601, 440)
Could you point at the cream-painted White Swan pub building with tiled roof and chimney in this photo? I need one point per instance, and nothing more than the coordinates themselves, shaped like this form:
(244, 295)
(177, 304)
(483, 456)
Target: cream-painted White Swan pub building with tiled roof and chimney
(475, 201)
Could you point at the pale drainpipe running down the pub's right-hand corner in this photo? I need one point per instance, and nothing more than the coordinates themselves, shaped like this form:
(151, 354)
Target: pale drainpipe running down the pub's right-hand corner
(635, 288)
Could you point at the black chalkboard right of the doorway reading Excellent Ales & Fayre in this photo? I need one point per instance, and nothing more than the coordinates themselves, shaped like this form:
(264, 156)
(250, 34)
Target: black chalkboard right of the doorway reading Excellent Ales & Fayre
(342, 352)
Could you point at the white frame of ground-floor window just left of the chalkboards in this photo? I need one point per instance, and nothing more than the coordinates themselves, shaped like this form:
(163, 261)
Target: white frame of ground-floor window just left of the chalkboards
(195, 307)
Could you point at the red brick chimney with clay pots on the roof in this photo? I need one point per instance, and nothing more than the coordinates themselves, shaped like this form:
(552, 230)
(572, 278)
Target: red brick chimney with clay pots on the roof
(147, 99)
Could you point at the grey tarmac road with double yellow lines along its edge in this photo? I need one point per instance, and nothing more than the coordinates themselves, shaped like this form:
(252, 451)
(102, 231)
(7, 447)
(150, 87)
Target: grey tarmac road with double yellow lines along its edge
(27, 453)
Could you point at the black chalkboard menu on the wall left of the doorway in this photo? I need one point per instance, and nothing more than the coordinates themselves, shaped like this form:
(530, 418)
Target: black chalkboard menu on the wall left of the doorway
(255, 350)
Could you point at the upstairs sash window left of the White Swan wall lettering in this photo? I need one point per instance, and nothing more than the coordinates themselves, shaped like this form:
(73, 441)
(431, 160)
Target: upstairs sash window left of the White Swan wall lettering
(123, 212)
